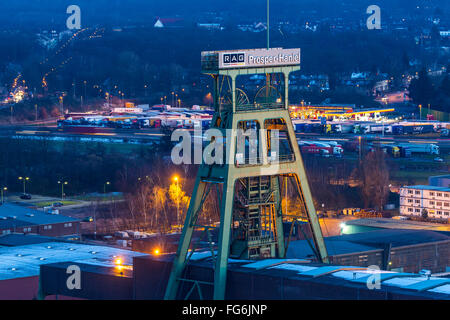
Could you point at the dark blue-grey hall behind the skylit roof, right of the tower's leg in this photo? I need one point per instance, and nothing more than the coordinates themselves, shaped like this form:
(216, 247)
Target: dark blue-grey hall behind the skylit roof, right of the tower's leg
(391, 249)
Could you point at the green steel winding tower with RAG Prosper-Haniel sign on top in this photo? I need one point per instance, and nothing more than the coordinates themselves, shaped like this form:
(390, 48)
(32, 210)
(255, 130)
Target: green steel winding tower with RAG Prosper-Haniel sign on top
(249, 192)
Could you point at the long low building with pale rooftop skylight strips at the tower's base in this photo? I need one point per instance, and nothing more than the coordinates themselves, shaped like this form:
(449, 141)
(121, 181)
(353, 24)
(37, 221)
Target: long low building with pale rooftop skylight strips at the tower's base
(302, 275)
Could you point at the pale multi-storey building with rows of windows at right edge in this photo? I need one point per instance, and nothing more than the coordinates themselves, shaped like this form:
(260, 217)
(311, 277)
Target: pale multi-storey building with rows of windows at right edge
(435, 200)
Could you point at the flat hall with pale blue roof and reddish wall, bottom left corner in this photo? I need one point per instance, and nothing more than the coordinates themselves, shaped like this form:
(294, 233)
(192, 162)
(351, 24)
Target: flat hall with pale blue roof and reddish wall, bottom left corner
(22, 255)
